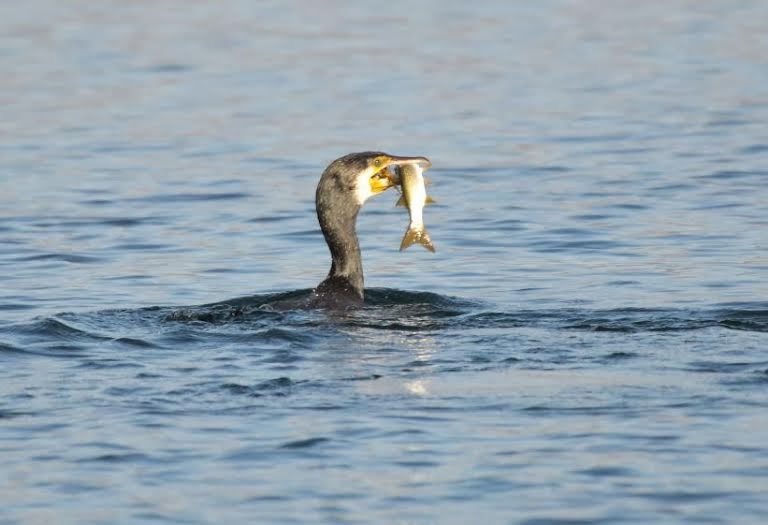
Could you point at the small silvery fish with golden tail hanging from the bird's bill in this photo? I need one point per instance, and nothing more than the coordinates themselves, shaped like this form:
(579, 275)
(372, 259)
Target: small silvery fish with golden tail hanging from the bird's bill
(414, 197)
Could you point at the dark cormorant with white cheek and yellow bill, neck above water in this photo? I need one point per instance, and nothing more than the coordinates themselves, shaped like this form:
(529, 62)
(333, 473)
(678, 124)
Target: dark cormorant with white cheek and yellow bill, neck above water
(344, 187)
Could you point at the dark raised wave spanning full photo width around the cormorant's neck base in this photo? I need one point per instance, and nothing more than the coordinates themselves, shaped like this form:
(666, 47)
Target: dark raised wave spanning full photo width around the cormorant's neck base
(279, 319)
